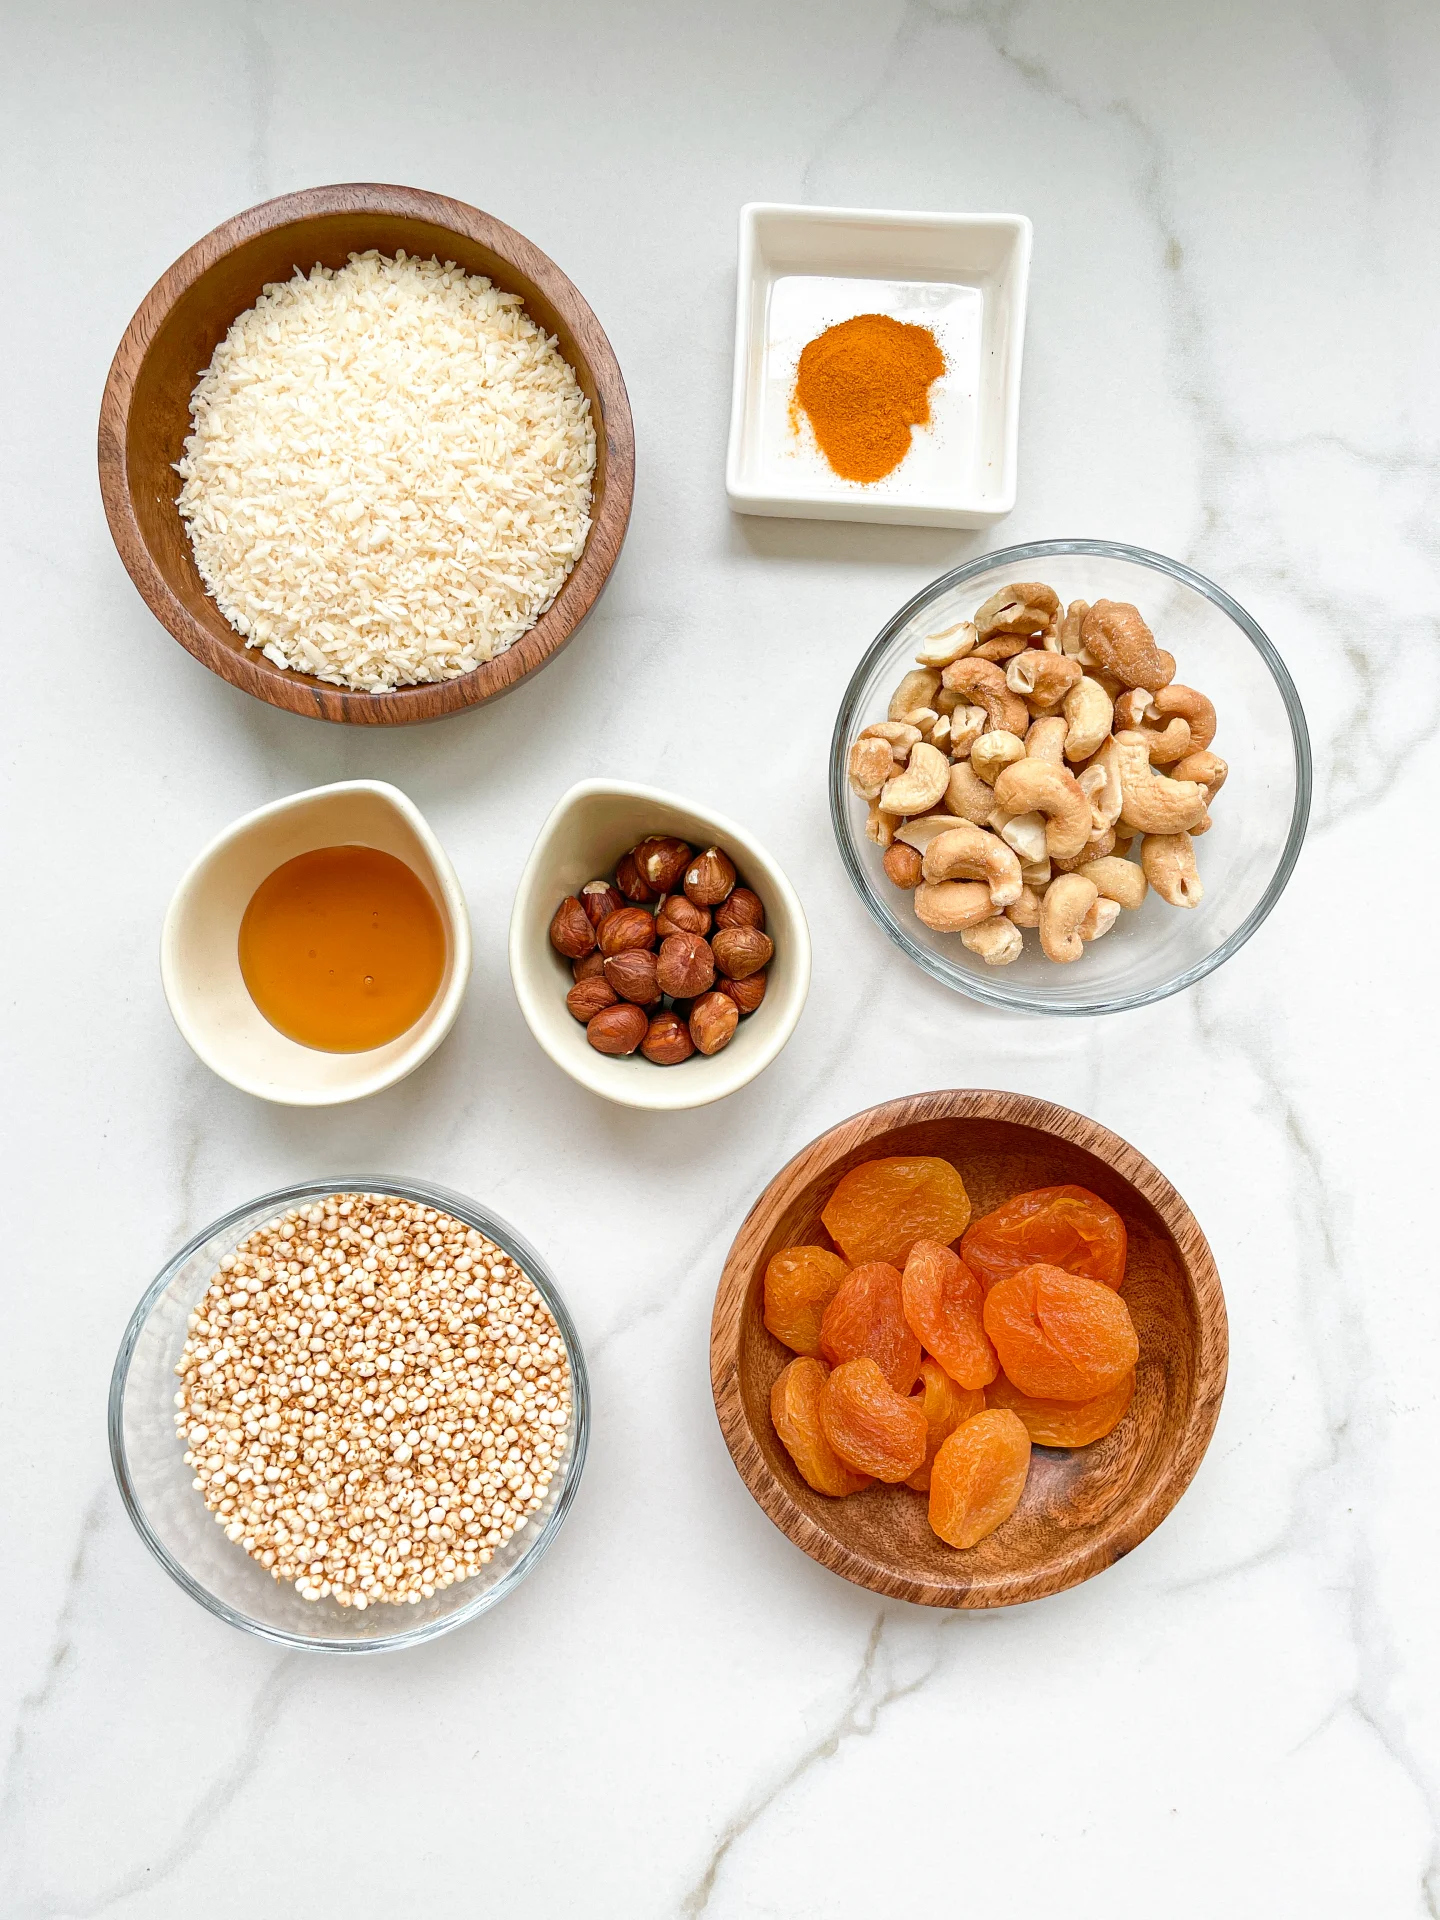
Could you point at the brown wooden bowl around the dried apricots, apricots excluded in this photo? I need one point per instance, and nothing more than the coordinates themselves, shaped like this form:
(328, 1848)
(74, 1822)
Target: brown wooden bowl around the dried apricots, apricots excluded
(1084, 1508)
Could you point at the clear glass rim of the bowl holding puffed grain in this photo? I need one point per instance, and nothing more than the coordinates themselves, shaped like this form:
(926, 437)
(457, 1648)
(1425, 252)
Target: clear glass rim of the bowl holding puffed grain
(423, 1193)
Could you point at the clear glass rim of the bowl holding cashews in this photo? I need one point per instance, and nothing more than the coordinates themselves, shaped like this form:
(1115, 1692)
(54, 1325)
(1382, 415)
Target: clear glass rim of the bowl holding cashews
(936, 965)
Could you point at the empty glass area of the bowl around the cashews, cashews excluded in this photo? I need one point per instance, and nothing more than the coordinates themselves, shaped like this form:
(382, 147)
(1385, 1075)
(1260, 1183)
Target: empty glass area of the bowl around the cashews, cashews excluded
(1259, 821)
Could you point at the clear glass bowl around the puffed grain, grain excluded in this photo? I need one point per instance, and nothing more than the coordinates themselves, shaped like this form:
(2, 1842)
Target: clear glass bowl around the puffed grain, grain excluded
(185, 1537)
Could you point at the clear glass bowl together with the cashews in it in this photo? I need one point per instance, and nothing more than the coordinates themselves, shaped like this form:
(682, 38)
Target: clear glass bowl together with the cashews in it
(1070, 779)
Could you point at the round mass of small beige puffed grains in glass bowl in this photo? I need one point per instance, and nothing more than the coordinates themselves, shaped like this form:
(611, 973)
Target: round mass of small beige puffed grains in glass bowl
(373, 1399)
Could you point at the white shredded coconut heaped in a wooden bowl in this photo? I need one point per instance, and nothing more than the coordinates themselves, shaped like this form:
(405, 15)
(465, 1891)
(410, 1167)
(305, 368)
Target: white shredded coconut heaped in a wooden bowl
(391, 473)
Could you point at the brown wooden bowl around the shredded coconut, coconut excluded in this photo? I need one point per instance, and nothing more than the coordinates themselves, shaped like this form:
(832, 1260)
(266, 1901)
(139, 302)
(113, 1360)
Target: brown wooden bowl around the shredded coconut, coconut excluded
(145, 420)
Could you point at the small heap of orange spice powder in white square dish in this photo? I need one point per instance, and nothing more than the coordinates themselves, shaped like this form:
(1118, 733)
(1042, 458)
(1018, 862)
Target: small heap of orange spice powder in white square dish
(863, 387)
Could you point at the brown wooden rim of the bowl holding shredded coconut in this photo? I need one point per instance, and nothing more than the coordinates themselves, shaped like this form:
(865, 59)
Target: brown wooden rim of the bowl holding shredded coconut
(247, 667)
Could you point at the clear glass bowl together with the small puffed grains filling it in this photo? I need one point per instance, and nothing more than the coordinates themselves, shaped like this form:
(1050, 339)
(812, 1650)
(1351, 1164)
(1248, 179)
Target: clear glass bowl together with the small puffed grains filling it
(350, 1416)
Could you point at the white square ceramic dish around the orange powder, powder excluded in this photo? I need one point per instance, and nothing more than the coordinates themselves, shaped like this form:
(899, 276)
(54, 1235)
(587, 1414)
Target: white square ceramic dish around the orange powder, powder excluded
(963, 276)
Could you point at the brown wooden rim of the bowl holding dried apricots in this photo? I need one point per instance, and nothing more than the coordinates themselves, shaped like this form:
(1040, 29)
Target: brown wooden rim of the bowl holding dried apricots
(1116, 1539)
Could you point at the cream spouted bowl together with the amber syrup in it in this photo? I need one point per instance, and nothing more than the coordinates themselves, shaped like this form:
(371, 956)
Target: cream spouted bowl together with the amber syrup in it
(318, 951)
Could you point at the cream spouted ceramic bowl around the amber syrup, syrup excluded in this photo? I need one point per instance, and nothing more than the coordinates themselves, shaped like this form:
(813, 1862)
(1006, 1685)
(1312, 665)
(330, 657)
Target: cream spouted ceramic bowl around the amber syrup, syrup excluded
(201, 944)
